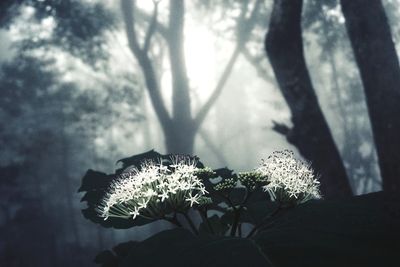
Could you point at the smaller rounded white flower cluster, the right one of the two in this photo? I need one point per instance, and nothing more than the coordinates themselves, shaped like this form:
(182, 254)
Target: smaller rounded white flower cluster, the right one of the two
(289, 180)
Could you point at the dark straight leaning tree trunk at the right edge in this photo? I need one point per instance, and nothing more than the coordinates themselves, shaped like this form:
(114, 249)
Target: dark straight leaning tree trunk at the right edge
(376, 57)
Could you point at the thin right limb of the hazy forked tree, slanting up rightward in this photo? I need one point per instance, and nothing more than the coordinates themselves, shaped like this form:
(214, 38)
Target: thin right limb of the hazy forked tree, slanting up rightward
(243, 36)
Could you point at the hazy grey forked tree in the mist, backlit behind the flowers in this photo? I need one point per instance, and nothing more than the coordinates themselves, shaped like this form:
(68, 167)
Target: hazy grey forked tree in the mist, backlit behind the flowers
(180, 127)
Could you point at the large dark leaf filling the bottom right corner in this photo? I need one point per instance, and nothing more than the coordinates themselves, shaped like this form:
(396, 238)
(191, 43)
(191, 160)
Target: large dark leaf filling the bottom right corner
(358, 231)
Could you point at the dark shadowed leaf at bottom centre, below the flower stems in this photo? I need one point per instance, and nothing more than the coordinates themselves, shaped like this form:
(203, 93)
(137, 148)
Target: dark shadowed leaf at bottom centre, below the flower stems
(178, 247)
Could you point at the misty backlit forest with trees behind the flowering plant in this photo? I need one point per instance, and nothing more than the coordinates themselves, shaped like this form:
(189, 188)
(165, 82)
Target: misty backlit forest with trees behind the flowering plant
(87, 82)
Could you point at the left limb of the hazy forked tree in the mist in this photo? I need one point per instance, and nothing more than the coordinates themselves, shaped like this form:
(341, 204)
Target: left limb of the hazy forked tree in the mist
(127, 8)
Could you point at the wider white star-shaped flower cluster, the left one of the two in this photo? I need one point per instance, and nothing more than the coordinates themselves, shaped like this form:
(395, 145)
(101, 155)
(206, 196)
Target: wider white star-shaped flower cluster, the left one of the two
(153, 190)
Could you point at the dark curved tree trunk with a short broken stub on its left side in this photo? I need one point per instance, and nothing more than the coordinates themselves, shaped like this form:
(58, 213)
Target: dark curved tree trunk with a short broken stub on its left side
(310, 132)
